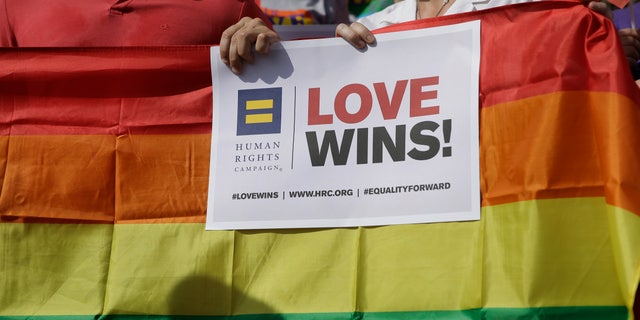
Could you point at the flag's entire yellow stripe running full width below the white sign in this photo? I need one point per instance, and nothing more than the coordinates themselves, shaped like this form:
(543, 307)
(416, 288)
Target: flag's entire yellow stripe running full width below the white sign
(539, 253)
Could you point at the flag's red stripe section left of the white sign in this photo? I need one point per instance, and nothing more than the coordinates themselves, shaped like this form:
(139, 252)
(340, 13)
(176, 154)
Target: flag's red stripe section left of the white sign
(105, 90)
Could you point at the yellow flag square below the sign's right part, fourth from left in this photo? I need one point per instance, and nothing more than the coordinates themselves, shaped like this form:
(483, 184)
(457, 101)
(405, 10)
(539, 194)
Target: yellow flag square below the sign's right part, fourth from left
(421, 267)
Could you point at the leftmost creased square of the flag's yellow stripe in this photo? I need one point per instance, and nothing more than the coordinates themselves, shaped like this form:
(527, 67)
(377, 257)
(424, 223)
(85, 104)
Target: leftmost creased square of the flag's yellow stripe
(53, 269)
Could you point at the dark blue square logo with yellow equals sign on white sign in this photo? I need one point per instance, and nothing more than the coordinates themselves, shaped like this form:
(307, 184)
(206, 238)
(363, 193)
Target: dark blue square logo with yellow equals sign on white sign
(259, 111)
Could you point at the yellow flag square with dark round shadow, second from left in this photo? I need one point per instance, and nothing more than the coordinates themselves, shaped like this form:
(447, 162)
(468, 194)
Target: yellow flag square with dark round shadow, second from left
(189, 274)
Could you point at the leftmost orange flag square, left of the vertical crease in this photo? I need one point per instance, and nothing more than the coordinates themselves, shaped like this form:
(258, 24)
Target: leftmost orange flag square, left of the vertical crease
(59, 177)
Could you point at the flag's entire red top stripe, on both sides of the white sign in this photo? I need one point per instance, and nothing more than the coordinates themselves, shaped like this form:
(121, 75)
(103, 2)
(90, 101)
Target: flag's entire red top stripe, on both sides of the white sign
(168, 89)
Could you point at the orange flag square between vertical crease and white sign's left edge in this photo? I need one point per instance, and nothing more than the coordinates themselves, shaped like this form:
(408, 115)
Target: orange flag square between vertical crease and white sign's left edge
(162, 176)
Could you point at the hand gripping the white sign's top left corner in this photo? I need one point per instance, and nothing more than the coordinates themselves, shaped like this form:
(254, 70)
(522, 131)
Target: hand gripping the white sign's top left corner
(240, 40)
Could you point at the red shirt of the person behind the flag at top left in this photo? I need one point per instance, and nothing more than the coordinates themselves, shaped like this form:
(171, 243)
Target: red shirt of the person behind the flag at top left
(73, 23)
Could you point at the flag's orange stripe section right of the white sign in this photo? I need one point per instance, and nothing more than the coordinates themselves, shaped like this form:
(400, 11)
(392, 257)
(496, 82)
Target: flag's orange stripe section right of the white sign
(566, 144)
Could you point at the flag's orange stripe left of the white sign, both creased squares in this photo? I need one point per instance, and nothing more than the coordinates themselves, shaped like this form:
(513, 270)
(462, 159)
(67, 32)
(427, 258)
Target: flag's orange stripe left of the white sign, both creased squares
(101, 179)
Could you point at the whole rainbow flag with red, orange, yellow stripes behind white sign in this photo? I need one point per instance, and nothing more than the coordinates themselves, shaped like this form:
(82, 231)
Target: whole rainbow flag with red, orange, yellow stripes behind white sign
(104, 162)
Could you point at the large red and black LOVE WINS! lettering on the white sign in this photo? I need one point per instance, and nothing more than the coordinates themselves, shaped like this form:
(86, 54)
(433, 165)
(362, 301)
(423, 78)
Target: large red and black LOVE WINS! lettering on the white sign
(421, 134)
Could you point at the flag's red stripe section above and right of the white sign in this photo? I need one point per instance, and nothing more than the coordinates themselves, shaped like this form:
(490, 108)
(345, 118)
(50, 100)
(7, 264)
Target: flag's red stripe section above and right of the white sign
(542, 47)
